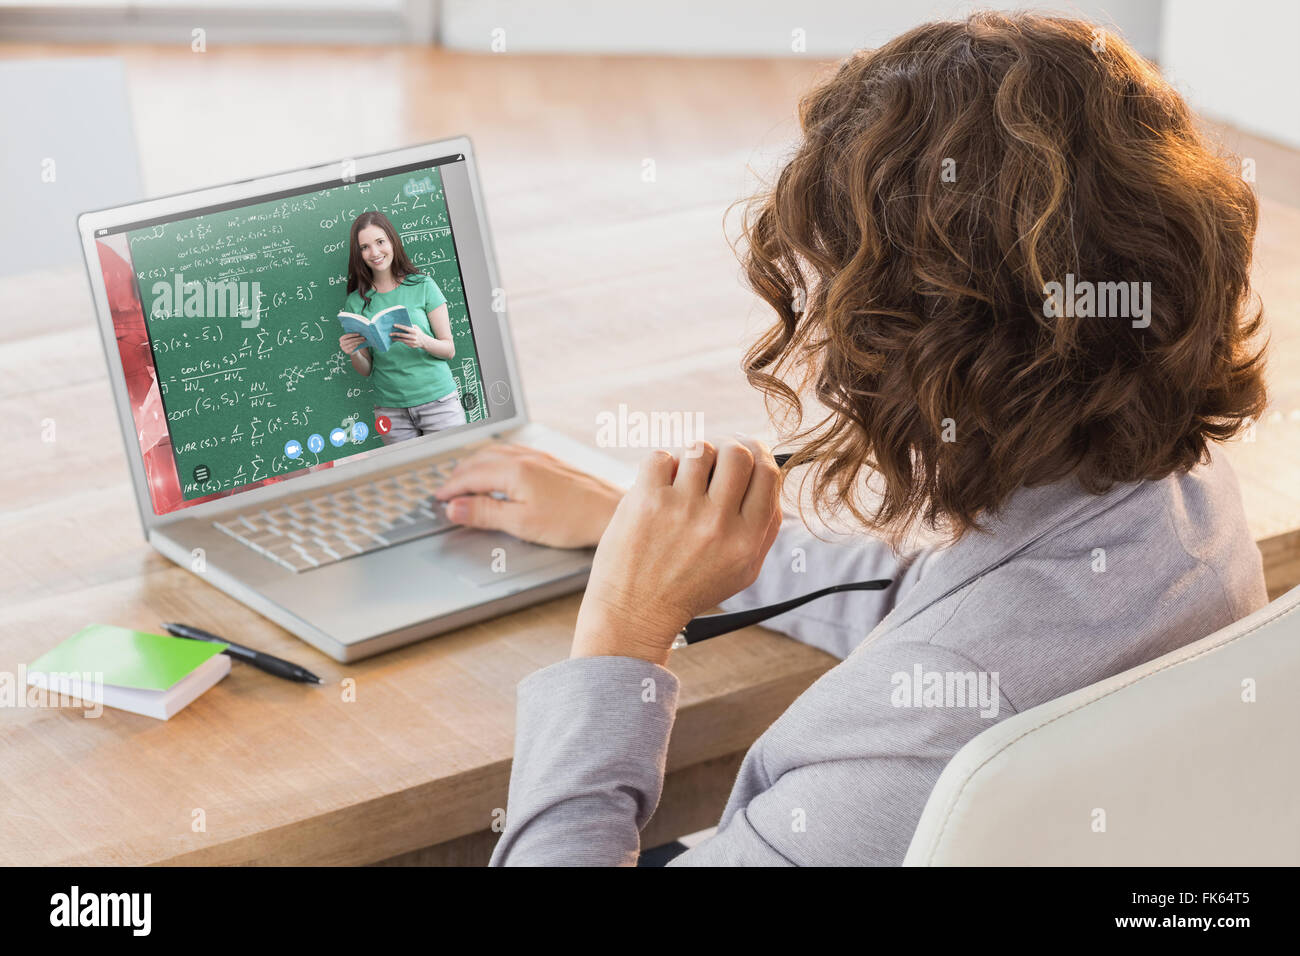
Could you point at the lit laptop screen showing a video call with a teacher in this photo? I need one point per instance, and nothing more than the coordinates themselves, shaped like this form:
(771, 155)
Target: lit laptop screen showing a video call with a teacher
(278, 336)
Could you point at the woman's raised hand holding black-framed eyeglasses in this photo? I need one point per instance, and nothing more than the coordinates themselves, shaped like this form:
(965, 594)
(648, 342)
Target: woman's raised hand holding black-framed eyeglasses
(687, 535)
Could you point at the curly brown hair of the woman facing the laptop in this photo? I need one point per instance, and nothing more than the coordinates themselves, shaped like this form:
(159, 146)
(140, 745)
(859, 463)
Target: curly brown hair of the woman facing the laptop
(941, 185)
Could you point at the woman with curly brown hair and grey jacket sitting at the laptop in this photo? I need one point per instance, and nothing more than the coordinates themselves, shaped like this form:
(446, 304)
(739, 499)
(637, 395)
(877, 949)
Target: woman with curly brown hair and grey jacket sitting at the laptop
(1016, 279)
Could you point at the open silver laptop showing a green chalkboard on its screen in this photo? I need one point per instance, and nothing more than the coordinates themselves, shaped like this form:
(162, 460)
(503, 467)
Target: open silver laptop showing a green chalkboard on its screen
(262, 460)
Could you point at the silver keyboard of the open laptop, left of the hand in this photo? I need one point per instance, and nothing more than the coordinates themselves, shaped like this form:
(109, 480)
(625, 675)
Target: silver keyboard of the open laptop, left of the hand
(311, 533)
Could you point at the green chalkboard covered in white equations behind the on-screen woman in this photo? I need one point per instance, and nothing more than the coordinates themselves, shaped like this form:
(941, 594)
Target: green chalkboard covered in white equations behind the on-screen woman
(248, 370)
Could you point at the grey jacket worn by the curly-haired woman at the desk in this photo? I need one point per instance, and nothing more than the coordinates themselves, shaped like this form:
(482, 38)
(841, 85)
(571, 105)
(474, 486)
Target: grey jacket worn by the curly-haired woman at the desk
(1064, 590)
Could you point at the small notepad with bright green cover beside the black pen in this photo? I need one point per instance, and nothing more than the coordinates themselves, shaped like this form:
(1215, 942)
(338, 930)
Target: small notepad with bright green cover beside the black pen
(145, 673)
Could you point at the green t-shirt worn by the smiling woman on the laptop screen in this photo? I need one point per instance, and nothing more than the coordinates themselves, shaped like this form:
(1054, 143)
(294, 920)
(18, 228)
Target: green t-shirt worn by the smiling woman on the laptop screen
(404, 378)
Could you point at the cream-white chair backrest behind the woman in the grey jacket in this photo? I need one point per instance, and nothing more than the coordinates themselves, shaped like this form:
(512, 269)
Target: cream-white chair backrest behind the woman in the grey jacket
(1193, 759)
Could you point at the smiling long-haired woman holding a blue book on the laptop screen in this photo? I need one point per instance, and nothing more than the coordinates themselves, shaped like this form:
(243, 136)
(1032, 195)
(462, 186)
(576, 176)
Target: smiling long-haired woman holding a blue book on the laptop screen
(413, 382)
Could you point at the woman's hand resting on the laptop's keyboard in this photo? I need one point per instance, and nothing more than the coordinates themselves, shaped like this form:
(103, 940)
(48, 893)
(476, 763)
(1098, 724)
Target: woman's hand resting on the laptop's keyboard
(549, 501)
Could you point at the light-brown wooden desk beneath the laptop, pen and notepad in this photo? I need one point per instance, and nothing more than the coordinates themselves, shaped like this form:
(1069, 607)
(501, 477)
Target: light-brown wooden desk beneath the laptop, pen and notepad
(635, 278)
